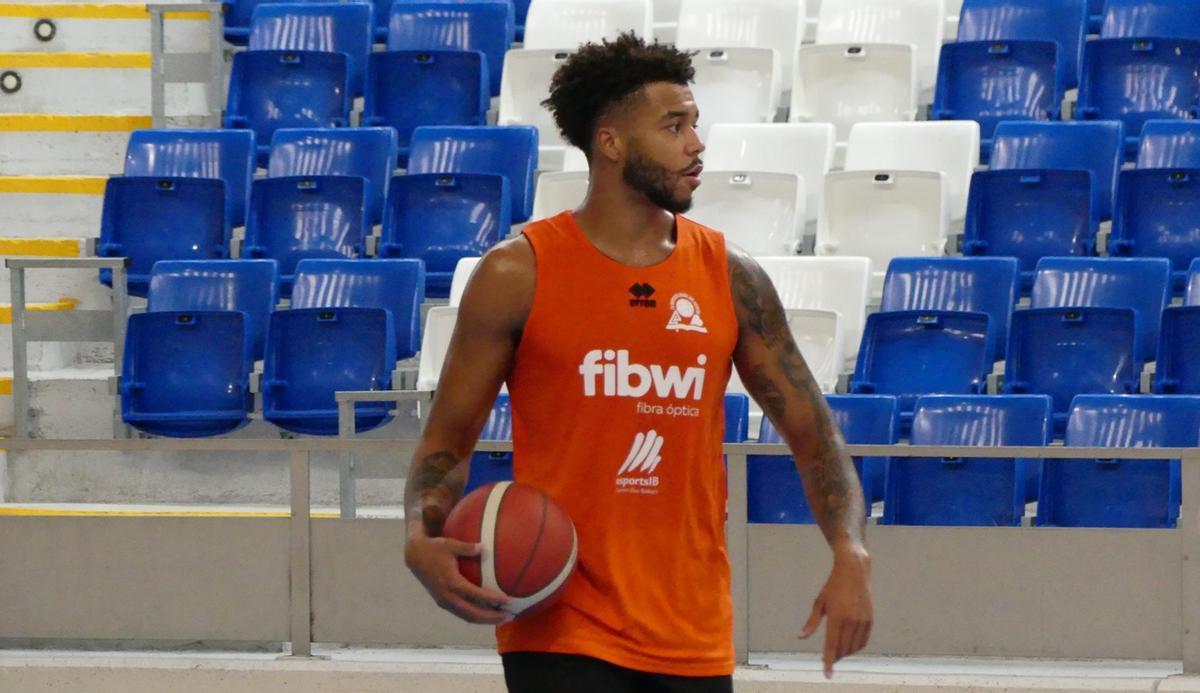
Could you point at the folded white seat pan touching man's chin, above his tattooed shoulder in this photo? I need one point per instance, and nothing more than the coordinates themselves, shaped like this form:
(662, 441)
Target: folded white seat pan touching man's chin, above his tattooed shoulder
(761, 213)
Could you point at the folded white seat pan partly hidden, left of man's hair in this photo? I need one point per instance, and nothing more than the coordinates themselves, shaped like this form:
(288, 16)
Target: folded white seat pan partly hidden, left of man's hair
(525, 86)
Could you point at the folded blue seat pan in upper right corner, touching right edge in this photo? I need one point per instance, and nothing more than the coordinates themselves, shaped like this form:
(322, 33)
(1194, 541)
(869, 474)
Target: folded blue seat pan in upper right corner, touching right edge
(1139, 80)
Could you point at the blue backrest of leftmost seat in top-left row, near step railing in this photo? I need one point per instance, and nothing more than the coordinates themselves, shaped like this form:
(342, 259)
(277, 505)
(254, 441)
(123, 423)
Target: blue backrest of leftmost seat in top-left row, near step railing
(334, 27)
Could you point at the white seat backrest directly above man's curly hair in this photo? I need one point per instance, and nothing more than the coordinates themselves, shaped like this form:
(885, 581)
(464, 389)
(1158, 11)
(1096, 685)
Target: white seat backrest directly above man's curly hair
(568, 25)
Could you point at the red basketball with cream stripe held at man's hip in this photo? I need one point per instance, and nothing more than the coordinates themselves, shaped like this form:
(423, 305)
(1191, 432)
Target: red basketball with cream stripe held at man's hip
(529, 544)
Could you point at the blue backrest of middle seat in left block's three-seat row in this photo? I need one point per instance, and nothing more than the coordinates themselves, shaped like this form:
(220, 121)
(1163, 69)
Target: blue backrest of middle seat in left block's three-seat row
(369, 153)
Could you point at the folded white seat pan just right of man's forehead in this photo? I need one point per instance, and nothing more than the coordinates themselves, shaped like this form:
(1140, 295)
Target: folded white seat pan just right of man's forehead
(736, 86)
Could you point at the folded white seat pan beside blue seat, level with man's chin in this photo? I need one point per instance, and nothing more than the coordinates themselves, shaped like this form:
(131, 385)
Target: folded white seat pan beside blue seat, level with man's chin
(884, 215)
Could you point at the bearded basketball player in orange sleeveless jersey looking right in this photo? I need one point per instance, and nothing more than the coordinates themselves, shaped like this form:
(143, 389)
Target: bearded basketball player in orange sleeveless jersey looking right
(615, 328)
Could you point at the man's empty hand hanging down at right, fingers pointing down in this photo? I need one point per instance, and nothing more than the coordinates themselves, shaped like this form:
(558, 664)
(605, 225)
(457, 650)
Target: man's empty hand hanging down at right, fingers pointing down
(845, 602)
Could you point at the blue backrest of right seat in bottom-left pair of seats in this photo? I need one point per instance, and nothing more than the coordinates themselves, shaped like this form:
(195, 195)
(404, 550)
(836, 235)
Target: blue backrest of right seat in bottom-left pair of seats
(397, 286)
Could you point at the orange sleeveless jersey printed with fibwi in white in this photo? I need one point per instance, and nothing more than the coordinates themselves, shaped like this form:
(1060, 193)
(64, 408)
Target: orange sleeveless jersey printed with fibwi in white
(617, 397)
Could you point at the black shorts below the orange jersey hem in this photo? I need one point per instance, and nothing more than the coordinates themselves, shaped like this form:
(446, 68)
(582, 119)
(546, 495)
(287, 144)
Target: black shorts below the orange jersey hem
(553, 673)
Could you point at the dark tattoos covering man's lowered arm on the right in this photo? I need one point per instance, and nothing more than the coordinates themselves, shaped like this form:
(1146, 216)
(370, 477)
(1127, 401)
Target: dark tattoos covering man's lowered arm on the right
(829, 473)
